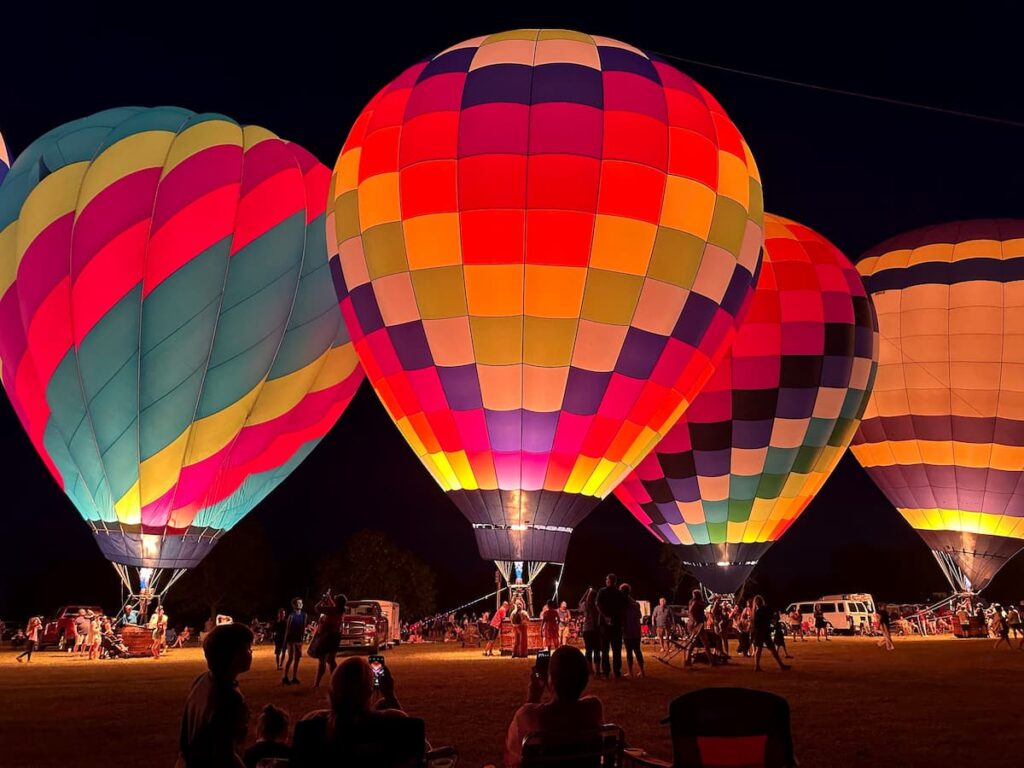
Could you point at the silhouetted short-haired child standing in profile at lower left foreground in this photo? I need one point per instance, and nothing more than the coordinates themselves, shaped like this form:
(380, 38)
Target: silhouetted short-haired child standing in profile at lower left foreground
(217, 720)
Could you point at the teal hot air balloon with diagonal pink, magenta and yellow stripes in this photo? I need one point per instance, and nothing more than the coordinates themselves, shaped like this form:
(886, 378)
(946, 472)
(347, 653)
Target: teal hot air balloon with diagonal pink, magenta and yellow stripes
(169, 334)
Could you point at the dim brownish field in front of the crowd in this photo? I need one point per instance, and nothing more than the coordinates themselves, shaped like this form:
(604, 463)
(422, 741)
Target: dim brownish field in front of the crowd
(928, 703)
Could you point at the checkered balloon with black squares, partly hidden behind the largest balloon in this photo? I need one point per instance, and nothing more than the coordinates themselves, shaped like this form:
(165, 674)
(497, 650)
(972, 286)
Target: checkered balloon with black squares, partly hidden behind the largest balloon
(767, 431)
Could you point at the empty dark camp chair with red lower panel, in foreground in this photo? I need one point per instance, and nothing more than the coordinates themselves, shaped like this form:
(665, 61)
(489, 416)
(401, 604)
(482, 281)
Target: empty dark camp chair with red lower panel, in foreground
(727, 728)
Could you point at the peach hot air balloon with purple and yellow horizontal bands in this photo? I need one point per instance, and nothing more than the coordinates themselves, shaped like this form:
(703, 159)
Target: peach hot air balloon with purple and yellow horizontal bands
(944, 435)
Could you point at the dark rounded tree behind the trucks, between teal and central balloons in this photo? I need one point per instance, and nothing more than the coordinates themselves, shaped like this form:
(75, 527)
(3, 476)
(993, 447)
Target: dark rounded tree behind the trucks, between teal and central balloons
(373, 567)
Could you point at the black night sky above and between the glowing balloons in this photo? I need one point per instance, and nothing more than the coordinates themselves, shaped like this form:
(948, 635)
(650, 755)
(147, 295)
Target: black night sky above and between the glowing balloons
(859, 172)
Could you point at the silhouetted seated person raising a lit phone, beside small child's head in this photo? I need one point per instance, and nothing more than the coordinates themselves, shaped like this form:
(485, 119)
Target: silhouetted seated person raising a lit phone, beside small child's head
(354, 723)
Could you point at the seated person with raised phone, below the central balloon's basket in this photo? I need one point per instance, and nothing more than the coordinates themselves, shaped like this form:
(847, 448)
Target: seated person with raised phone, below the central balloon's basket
(564, 712)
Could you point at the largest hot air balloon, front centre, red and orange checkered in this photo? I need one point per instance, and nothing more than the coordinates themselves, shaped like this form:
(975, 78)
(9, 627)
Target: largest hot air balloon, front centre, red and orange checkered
(544, 238)
